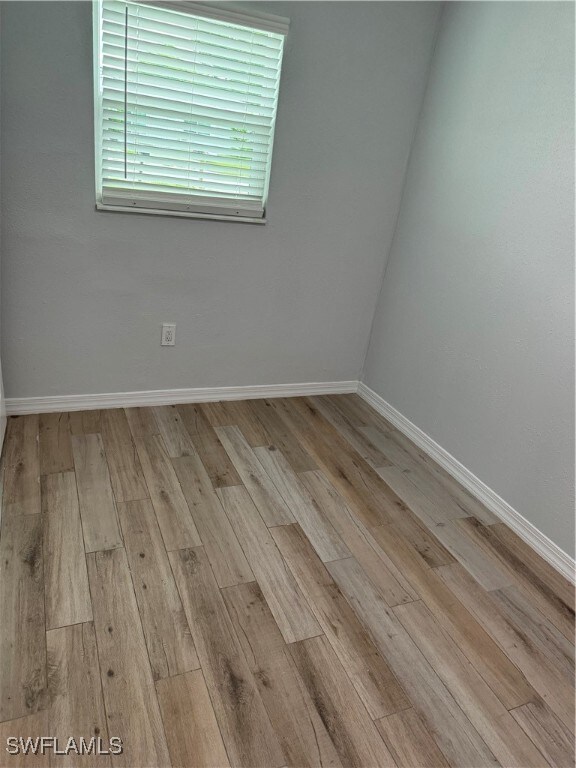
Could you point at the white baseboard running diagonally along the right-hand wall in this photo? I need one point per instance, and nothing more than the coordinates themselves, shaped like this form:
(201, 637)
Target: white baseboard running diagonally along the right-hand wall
(546, 548)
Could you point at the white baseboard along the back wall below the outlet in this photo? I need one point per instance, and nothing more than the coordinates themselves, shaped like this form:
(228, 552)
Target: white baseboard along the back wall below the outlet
(22, 405)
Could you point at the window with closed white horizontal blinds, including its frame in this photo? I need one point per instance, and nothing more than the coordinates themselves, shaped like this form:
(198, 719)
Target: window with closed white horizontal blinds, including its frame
(185, 108)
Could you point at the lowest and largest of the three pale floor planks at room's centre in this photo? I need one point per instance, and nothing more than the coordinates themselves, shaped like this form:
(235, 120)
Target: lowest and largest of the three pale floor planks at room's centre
(287, 603)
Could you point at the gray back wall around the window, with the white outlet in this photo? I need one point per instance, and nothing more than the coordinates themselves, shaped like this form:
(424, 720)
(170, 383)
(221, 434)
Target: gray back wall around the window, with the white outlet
(286, 302)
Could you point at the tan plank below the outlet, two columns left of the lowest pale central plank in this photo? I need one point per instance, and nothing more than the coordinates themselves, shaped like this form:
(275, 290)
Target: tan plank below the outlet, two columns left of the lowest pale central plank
(174, 518)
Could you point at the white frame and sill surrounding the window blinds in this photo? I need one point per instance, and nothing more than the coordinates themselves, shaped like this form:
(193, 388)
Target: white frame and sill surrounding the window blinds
(253, 19)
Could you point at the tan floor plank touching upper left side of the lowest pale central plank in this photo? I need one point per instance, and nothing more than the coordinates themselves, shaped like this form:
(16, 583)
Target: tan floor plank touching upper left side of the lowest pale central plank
(226, 556)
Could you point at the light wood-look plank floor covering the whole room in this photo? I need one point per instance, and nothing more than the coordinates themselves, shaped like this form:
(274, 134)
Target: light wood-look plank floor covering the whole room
(269, 583)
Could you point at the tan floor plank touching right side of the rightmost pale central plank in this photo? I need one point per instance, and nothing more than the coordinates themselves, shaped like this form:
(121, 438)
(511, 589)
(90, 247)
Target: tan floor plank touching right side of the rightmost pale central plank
(381, 570)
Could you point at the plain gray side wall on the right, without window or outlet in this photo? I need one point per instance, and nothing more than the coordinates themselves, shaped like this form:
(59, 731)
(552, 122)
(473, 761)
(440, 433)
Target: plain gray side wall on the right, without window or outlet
(473, 335)
